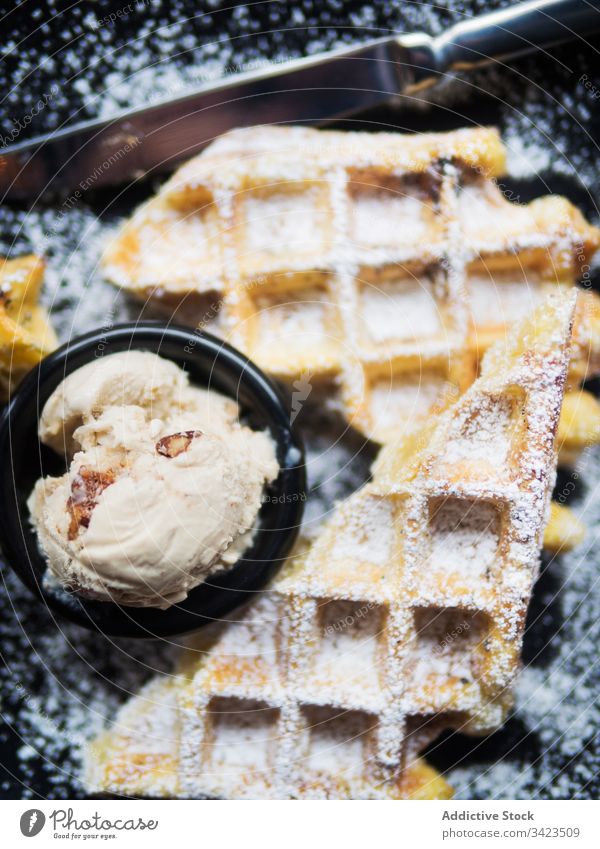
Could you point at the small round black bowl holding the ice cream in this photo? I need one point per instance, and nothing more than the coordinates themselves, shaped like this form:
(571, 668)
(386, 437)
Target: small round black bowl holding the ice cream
(210, 363)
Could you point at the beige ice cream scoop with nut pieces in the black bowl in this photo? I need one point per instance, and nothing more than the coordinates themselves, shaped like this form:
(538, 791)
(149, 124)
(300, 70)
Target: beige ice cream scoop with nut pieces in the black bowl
(163, 487)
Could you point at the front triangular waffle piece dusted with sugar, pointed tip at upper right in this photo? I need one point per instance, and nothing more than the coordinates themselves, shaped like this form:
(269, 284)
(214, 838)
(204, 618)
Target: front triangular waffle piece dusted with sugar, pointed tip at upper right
(403, 617)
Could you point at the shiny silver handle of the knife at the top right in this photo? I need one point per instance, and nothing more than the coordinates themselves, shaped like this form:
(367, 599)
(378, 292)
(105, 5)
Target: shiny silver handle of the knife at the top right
(514, 31)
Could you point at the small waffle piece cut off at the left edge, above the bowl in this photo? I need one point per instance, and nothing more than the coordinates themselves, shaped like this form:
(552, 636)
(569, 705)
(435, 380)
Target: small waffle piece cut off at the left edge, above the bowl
(25, 334)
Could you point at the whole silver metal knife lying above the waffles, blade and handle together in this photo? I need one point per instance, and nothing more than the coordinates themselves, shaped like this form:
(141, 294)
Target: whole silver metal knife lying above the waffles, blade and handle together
(314, 89)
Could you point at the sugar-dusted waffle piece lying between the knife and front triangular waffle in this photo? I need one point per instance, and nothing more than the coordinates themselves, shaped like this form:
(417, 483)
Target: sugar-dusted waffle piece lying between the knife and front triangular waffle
(381, 265)
